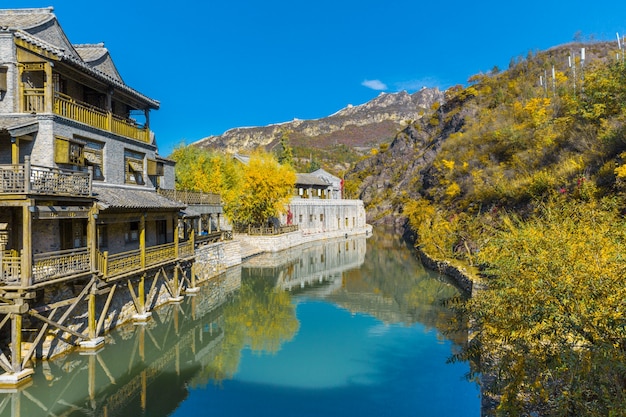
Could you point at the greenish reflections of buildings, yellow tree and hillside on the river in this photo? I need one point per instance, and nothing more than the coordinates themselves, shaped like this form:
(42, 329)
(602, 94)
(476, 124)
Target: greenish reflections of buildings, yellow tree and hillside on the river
(147, 369)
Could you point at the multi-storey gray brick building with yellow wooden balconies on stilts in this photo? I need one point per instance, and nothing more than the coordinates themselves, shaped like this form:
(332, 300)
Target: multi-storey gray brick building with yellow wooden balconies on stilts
(80, 218)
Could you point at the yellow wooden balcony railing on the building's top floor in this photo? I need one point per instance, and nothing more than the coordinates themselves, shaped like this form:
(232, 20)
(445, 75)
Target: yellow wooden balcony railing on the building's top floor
(35, 102)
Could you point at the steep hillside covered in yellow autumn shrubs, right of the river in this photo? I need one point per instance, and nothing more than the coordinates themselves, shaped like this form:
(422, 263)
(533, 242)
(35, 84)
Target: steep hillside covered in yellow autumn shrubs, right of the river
(519, 178)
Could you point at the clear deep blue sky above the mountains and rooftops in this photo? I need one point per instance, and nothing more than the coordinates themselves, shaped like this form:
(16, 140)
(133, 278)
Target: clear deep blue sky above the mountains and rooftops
(216, 65)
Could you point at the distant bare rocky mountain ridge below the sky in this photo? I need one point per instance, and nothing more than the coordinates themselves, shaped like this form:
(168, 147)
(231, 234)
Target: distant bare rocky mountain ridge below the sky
(358, 127)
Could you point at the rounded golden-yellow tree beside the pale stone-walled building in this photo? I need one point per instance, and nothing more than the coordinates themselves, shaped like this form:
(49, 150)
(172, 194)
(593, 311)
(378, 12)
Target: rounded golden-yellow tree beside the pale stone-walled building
(262, 191)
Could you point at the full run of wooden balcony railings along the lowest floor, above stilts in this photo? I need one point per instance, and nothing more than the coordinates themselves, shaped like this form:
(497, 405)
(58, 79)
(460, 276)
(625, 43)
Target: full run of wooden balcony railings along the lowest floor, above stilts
(66, 264)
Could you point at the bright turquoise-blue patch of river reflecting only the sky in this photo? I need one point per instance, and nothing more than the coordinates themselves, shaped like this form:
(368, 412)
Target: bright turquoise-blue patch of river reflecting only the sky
(340, 364)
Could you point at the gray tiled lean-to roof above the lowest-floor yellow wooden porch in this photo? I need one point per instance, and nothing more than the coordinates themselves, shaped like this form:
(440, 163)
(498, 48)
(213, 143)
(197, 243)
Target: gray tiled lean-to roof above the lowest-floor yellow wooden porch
(130, 198)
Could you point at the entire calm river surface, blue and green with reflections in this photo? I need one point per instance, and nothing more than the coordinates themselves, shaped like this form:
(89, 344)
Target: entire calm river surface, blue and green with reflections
(351, 327)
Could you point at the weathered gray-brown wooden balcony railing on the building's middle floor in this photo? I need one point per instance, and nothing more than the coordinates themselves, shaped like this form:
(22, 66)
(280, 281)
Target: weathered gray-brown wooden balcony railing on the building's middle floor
(29, 179)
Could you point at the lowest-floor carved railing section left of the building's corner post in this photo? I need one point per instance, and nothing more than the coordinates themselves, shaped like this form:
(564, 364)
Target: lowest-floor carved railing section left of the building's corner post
(49, 266)
